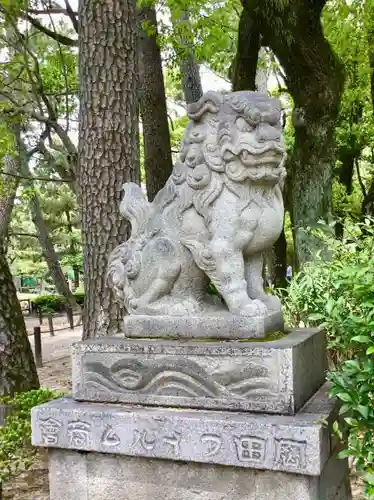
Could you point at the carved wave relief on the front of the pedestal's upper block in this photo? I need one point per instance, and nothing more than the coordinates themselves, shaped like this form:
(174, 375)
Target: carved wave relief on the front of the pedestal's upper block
(183, 378)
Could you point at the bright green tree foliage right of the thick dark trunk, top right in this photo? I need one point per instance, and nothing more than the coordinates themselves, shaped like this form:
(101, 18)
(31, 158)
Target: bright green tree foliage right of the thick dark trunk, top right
(347, 25)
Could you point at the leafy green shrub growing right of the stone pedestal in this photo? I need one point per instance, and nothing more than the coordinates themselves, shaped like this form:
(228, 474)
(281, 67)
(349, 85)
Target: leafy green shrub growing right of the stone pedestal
(339, 295)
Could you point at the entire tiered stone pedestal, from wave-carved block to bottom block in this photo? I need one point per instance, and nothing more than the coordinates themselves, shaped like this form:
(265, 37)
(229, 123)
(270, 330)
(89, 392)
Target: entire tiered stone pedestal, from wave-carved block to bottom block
(154, 419)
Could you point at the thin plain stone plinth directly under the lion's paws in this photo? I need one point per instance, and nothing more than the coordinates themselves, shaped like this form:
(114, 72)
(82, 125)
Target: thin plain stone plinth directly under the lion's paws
(219, 326)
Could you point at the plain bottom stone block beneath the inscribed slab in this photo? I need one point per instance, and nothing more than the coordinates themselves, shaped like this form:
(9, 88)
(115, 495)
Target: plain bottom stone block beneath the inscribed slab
(93, 476)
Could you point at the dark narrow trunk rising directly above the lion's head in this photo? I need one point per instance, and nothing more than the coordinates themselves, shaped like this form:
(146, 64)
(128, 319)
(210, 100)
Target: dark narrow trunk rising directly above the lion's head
(244, 67)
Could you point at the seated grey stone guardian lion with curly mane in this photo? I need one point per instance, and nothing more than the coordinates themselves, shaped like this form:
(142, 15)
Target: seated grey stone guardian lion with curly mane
(219, 211)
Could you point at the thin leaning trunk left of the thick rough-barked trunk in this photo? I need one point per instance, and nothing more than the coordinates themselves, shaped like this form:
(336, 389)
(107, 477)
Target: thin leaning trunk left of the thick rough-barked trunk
(49, 253)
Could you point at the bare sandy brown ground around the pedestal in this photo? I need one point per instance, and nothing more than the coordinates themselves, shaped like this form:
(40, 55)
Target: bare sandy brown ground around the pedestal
(56, 373)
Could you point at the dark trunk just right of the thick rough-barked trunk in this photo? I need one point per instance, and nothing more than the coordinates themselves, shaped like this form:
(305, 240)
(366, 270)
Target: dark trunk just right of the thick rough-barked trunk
(157, 150)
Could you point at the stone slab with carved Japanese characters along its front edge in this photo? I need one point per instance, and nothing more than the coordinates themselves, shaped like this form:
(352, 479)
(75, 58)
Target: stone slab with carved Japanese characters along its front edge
(299, 444)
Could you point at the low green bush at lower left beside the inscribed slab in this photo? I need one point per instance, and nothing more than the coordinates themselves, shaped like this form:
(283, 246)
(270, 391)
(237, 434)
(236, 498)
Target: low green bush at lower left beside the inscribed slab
(16, 452)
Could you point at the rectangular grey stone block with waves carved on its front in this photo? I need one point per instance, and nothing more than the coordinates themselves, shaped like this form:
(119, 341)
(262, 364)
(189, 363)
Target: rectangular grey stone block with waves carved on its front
(271, 377)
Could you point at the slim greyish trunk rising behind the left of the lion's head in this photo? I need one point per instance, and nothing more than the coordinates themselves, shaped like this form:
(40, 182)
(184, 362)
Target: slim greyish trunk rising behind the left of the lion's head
(191, 81)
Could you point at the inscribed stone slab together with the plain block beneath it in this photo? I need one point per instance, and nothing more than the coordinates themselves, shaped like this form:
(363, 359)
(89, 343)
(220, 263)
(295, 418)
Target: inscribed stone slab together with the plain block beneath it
(109, 451)
